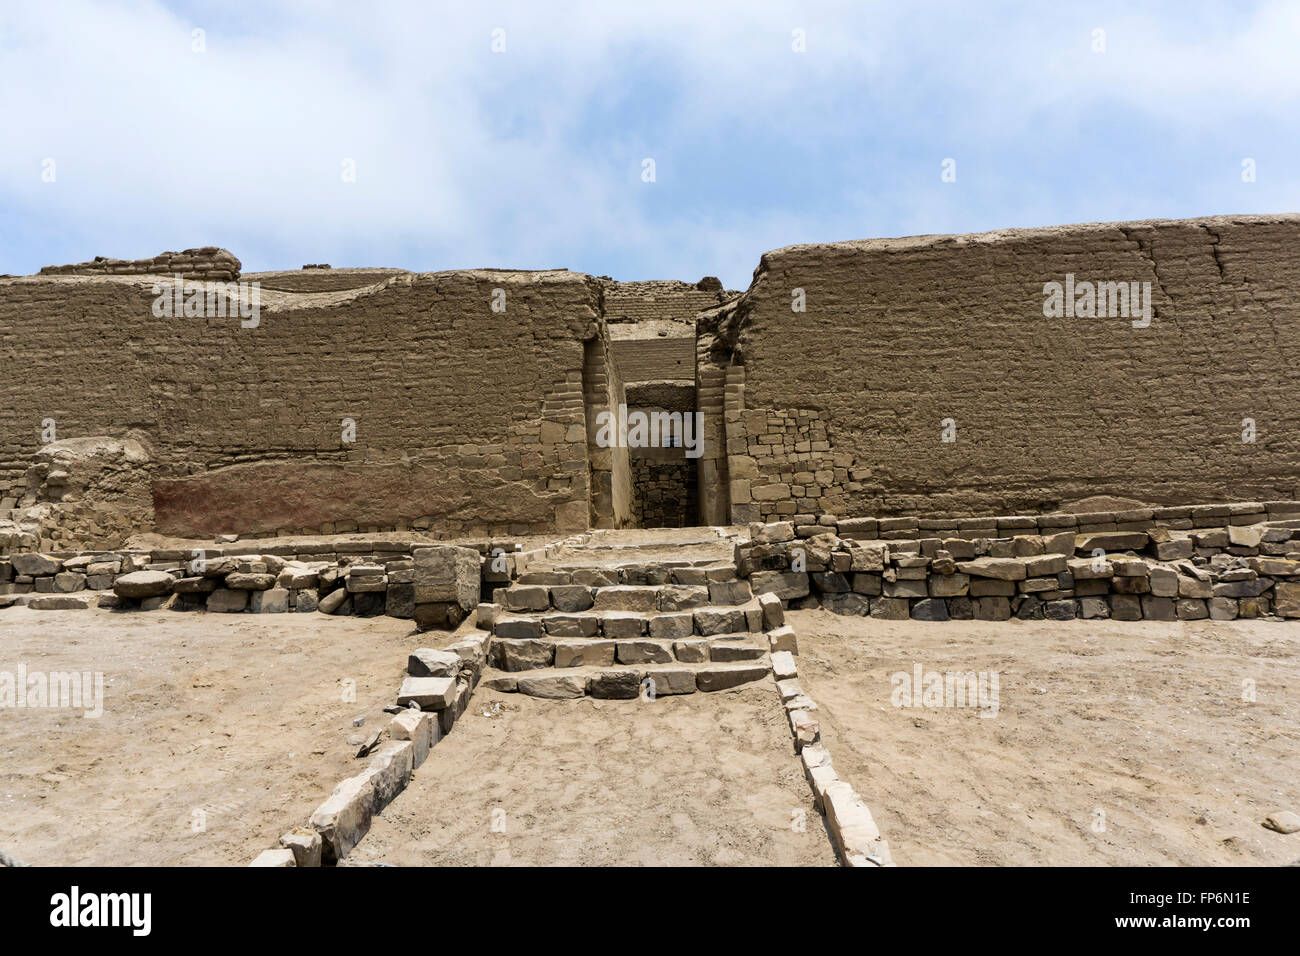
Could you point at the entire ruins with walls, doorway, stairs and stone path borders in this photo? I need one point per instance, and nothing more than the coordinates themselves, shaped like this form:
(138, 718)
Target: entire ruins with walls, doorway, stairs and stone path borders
(610, 490)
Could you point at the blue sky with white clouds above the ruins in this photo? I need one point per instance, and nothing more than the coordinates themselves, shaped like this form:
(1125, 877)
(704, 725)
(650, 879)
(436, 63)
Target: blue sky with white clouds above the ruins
(439, 136)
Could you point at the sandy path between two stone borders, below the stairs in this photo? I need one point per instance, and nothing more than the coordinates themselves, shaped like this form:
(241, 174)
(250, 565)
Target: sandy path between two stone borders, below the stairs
(701, 780)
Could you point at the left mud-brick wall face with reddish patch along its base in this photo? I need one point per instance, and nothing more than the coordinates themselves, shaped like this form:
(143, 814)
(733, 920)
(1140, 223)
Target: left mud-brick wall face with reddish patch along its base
(466, 419)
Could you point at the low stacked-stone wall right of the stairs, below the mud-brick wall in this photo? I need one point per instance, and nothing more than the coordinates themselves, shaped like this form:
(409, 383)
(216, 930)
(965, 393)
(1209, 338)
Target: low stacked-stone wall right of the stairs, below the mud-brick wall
(1221, 574)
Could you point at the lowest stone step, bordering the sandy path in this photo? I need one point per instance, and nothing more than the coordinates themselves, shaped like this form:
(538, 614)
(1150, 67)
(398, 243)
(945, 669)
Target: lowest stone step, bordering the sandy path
(627, 684)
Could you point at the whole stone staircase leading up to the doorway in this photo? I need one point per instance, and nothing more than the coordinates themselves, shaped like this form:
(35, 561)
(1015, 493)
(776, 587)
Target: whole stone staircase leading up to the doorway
(619, 622)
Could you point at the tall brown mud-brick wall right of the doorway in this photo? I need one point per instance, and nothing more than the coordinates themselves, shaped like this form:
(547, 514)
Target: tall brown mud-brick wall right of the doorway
(844, 404)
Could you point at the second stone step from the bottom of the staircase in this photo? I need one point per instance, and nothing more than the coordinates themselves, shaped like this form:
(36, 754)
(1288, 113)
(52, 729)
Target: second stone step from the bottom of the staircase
(514, 656)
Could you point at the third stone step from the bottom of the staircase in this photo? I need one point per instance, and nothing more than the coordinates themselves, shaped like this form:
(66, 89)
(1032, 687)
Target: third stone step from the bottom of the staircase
(708, 621)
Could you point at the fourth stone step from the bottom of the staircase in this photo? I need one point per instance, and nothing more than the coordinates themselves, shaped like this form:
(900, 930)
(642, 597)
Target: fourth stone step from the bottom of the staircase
(621, 598)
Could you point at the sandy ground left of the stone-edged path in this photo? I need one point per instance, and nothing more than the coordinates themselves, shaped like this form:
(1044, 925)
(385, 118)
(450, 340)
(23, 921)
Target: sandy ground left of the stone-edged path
(241, 717)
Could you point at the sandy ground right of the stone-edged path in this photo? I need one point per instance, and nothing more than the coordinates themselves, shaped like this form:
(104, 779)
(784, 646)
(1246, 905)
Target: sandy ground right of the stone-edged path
(1137, 730)
